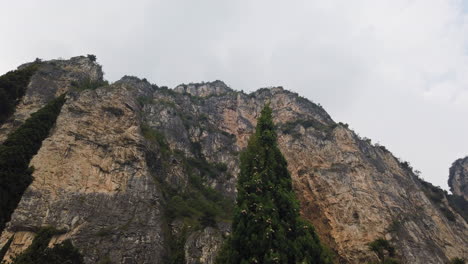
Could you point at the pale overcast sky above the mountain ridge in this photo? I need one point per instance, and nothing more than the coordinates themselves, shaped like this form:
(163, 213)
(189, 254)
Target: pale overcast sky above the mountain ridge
(395, 70)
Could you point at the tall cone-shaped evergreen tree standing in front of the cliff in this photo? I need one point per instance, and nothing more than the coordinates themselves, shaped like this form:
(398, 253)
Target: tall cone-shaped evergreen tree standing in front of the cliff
(266, 226)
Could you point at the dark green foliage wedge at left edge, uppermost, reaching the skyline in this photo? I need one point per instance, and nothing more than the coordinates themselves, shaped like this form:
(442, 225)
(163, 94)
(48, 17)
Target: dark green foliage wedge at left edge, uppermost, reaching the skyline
(12, 88)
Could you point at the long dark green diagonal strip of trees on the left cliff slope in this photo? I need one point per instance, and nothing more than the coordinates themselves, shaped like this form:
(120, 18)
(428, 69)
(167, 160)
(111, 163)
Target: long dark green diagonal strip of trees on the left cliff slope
(17, 151)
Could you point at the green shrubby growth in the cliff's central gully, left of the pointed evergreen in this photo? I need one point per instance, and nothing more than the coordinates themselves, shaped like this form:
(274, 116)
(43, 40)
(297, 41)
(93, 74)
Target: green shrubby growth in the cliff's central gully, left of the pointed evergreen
(194, 205)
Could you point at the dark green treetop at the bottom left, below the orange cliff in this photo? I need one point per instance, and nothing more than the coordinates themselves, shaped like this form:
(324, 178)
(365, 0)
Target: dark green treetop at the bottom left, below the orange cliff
(39, 252)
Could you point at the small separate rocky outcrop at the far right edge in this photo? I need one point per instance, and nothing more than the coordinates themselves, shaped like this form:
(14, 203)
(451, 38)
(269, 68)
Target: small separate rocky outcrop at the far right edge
(458, 179)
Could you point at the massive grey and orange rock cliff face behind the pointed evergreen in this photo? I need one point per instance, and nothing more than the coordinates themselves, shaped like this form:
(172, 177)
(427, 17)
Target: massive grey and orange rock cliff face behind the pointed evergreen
(100, 176)
